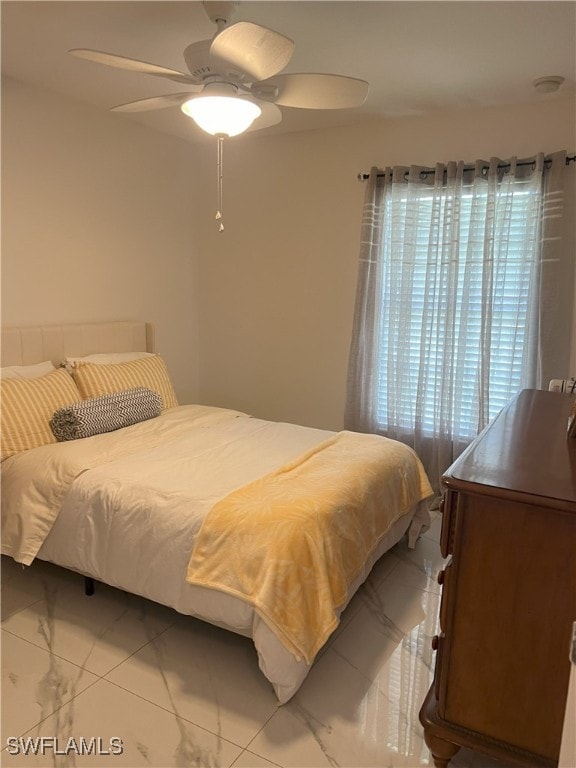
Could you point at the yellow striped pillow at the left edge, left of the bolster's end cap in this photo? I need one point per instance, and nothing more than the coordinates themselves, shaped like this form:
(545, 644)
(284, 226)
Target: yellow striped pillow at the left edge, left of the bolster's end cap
(27, 407)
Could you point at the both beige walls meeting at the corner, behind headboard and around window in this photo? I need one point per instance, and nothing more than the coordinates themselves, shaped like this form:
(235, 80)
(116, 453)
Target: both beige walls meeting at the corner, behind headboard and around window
(104, 219)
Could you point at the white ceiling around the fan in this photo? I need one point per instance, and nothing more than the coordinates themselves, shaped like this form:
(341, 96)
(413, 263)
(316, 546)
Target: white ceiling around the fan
(419, 56)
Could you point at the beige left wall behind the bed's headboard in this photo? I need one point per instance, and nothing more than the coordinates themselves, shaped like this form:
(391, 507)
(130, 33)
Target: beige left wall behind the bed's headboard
(97, 223)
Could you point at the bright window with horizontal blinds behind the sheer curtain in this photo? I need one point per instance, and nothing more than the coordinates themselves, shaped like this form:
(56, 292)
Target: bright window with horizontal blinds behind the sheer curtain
(477, 310)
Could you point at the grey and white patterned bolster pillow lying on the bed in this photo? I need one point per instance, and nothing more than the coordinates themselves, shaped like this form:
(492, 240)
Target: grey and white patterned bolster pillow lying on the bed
(105, 413)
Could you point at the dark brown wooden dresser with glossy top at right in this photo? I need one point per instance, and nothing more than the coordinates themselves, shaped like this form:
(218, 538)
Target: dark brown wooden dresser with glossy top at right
(508, 590)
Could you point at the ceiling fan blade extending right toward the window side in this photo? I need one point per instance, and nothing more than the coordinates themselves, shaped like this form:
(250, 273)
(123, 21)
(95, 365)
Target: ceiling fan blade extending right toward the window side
(312, 91)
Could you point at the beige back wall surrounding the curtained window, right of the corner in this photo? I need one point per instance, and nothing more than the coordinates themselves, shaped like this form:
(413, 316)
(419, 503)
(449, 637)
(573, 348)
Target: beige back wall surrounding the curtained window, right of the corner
(278, 285)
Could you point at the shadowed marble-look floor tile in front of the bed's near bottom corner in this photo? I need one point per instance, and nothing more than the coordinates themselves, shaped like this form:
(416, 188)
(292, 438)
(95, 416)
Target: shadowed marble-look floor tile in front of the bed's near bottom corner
(205, 675)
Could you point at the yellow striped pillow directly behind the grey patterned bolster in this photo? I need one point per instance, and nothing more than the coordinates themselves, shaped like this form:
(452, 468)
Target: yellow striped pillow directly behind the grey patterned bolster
(94, 380)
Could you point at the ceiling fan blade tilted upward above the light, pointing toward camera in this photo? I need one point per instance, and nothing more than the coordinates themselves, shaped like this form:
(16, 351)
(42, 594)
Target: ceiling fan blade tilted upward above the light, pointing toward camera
(255, 50)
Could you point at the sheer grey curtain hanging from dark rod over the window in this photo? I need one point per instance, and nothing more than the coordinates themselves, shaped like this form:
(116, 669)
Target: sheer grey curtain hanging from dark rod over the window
(459, 301)
